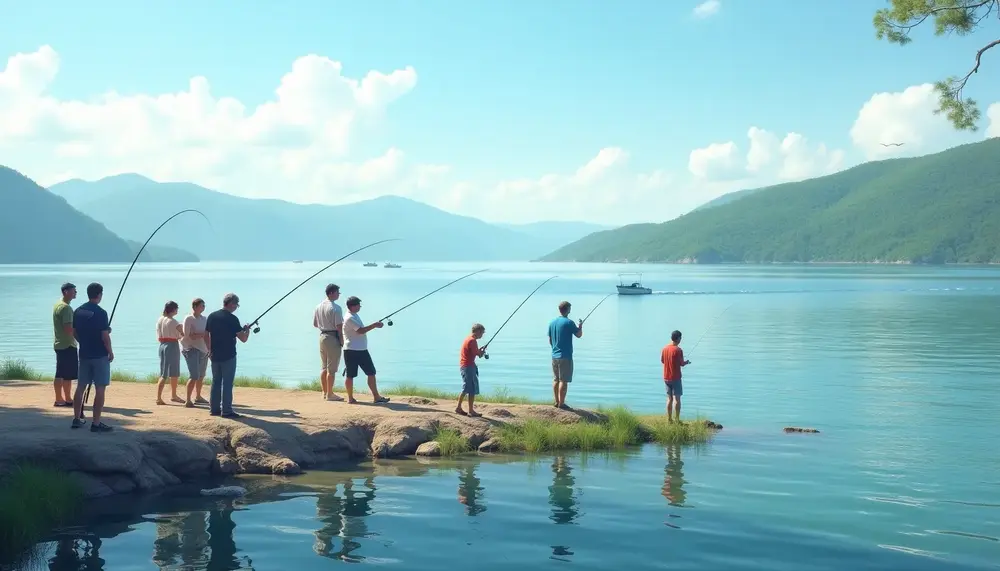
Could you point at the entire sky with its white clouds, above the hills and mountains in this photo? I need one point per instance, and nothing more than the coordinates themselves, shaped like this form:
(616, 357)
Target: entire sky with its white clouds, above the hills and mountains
(514, 111)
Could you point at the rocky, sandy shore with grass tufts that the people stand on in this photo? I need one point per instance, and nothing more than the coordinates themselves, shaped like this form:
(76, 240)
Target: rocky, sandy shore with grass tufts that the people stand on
(287, 431)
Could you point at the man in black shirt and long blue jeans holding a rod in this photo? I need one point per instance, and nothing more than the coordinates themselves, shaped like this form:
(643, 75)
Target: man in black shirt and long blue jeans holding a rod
(221, 332)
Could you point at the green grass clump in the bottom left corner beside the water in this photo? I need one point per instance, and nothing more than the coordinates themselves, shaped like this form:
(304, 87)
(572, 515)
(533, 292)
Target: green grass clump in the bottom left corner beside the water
(33, 500)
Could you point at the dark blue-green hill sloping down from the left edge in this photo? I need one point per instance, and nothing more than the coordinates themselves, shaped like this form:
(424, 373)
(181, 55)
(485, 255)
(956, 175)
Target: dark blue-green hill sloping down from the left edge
(38, 227)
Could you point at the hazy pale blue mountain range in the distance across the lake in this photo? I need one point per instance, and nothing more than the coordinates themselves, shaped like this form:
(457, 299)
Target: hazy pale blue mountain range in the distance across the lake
(270, 230)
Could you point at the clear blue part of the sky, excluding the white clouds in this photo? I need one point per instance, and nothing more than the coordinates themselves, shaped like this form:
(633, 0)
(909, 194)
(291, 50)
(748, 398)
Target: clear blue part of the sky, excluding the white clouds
(518, 89)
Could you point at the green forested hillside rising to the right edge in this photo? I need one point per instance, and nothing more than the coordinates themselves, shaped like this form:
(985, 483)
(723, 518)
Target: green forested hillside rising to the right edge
(940, 208)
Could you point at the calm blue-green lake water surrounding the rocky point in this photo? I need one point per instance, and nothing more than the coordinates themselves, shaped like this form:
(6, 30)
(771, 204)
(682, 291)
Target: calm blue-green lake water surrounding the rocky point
(898, 367)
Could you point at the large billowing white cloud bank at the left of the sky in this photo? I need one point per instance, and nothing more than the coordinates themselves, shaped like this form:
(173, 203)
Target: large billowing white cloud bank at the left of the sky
(294, 146)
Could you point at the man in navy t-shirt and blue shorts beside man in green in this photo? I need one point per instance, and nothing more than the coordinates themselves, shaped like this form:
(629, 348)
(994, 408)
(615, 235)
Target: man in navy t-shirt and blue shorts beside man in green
(93, 334)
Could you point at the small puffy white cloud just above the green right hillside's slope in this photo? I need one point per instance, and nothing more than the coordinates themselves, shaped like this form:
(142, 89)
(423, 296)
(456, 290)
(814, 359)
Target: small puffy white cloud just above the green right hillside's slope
(768, 159)
